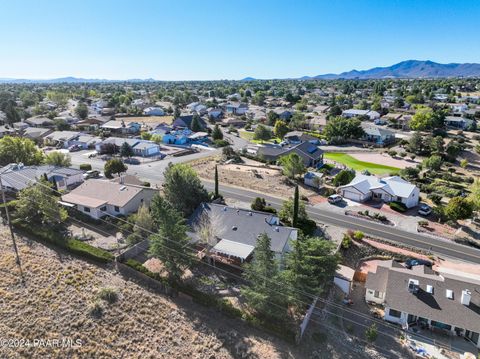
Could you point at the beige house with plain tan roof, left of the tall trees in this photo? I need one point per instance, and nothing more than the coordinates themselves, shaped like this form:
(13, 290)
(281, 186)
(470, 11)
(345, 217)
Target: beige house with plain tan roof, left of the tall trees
(97, 198)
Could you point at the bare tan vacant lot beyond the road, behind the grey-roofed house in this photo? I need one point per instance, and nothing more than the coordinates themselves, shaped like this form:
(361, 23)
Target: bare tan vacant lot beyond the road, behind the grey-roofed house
(252, 175)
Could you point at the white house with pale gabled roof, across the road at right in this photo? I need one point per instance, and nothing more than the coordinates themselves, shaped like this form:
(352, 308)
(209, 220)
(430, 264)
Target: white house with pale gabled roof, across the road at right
(388, 189)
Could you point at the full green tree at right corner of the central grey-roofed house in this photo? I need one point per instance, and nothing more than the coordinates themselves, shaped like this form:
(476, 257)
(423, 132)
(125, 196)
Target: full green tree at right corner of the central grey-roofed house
(310, 267)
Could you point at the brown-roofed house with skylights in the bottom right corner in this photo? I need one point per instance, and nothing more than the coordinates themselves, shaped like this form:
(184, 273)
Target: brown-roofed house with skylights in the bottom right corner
(419, 296)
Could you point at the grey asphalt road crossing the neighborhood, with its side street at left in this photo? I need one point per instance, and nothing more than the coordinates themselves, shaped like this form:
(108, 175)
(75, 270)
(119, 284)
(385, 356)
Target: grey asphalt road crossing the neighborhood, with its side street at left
(153, 172)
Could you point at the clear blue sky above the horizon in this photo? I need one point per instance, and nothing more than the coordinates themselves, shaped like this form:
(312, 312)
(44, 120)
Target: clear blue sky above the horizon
(206, 39)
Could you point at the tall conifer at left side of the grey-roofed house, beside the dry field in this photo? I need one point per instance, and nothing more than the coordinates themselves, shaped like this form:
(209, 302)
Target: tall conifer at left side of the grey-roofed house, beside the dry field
(171, 244)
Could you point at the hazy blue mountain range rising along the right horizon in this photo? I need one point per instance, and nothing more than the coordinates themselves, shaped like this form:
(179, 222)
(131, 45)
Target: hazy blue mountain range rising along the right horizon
(404, 69)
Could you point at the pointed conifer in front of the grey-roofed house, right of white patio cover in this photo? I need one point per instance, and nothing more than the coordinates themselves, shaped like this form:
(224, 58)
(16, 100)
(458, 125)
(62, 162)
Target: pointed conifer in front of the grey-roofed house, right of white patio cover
(263, 280)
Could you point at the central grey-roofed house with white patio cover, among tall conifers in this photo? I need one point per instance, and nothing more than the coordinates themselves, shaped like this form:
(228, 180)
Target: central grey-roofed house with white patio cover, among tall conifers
(235, 231)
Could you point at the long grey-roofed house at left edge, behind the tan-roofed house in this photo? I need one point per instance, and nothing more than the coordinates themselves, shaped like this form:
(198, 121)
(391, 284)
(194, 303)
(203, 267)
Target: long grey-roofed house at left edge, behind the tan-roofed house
(16, 177)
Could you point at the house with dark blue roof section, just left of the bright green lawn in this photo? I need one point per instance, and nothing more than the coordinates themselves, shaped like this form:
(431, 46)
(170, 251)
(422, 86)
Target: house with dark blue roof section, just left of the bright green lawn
(311, 155)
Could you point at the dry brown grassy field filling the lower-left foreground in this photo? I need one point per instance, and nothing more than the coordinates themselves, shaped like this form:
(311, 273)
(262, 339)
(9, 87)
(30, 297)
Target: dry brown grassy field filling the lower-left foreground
(56, 302)
